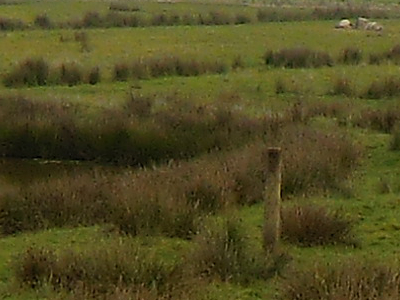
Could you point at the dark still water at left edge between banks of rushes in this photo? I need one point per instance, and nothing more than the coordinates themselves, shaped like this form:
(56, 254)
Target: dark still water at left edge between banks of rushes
(26, 171)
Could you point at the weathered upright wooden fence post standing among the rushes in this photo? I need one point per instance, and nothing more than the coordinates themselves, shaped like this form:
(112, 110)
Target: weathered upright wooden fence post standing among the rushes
(272, 199)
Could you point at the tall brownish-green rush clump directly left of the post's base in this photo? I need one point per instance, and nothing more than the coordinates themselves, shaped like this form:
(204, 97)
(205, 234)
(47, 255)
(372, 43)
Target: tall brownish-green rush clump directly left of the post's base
(223, 251)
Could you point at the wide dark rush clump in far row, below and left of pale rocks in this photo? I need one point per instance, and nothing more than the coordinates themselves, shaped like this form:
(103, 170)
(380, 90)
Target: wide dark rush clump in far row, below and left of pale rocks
(298, 57)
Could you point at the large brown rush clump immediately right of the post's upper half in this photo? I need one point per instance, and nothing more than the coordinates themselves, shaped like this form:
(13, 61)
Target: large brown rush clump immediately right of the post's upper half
(306, 169)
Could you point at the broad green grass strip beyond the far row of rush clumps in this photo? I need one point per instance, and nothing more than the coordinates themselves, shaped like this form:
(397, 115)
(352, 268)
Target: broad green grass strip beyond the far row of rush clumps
(109, 46)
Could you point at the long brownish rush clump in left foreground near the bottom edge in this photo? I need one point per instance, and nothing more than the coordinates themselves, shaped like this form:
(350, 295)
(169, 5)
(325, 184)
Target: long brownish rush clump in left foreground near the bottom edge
(95, 271)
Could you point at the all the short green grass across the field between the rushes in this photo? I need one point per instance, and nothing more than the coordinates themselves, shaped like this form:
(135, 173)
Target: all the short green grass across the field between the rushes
(373, 202)
